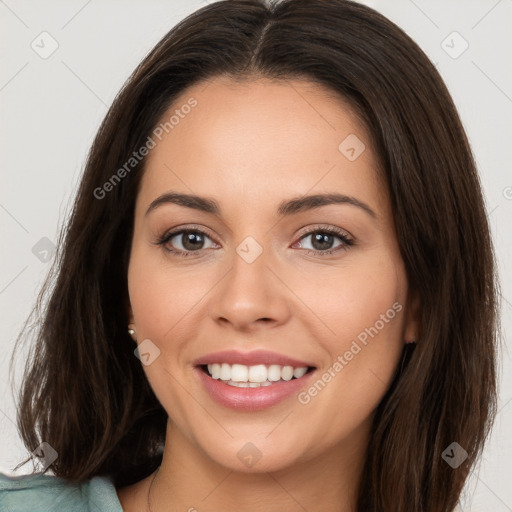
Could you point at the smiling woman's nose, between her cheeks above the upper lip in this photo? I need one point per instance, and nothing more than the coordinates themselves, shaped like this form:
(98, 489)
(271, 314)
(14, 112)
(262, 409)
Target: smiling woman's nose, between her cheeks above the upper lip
(251, 295)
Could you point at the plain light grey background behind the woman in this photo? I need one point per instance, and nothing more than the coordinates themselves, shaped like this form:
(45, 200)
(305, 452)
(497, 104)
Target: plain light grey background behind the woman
(52, 107)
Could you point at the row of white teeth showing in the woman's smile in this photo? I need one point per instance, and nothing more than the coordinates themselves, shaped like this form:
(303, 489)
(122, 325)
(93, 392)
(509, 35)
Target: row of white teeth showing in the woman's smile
(254, 376)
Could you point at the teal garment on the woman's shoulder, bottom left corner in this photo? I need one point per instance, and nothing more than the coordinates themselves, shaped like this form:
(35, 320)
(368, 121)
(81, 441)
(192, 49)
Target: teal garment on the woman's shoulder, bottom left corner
(47, 493)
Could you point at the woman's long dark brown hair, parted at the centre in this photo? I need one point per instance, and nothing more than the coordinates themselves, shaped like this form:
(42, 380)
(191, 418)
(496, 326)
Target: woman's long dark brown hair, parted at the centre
(86, 394)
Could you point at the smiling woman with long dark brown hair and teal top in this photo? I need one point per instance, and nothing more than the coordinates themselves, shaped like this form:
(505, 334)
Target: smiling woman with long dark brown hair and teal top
(276, 290)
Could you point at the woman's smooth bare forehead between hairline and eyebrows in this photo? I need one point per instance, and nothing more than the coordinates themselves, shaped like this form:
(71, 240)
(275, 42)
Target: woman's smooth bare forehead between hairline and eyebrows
(255, 142)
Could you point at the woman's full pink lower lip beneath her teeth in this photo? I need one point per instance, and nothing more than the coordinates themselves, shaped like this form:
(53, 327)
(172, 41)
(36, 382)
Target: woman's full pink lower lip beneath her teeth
(252, 399)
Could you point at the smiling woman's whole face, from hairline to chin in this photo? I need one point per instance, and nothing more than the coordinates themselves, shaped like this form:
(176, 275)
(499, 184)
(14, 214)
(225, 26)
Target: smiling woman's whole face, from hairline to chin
(272, 279)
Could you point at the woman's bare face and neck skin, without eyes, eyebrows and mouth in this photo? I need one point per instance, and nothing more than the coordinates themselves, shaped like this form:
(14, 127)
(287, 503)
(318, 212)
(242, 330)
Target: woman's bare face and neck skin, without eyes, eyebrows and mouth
(250, 146)
